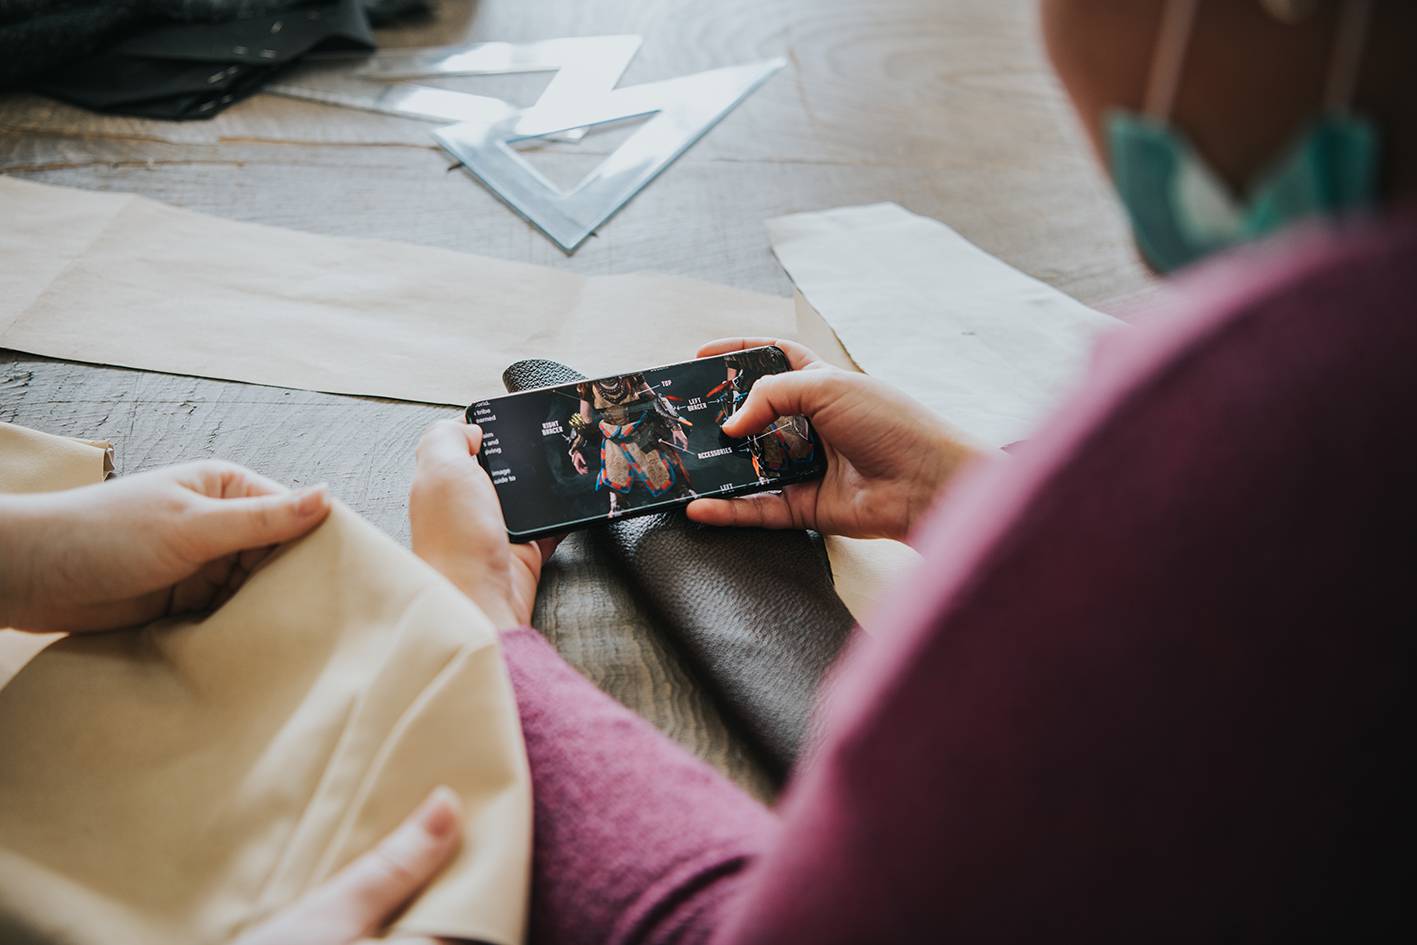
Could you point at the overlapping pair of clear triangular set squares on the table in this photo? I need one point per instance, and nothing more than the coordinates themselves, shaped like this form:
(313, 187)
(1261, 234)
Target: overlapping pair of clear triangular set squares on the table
(580, 97)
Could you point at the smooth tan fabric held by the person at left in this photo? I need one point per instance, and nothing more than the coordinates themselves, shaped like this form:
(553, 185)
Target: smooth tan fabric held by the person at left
(176, 783)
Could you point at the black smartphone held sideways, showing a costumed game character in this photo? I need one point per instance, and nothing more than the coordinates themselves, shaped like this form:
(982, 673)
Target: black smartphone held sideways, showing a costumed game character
(575, 455)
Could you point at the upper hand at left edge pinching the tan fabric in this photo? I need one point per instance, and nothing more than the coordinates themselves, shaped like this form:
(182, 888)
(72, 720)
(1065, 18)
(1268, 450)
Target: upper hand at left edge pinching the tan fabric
(128, 552)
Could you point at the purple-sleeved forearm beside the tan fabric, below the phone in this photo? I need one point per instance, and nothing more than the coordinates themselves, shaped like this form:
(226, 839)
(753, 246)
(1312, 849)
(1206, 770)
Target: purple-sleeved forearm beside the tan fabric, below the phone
(636, 839)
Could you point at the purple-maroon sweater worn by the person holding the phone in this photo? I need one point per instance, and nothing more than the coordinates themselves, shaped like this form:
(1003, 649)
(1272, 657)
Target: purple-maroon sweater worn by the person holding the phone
(1147, 685)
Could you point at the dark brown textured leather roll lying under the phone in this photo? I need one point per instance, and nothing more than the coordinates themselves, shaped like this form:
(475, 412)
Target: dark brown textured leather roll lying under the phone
(753, 611)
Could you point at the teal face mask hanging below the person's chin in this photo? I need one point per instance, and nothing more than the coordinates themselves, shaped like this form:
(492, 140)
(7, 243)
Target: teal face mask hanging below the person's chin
(1181, 213)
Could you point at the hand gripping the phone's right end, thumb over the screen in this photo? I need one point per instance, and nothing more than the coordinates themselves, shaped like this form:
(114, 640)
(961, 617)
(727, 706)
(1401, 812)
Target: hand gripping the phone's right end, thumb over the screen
(888, 457)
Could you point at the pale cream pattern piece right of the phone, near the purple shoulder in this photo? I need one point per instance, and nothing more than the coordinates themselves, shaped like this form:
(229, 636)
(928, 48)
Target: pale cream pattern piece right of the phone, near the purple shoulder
(988, 348)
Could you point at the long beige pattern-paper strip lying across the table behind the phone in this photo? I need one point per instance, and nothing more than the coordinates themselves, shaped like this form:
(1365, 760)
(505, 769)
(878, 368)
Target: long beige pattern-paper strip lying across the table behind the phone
(120, 280)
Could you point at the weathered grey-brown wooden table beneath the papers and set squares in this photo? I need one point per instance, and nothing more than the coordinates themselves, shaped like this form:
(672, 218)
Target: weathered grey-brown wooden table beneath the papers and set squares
(946, 107)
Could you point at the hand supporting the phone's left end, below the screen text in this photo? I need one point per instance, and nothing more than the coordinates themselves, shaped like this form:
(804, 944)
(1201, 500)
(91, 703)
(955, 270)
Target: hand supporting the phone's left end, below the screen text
(458, 528)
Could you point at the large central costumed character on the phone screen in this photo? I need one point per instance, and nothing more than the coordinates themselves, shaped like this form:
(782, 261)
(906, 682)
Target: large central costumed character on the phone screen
(641, 437)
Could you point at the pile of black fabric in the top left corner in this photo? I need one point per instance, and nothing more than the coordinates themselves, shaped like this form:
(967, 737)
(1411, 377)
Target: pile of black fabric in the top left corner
(175, 59)
